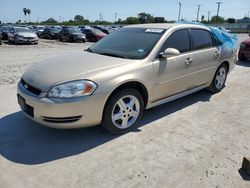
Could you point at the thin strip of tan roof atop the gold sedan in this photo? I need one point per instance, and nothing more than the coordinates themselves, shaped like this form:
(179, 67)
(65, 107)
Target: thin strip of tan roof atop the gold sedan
(167, 26)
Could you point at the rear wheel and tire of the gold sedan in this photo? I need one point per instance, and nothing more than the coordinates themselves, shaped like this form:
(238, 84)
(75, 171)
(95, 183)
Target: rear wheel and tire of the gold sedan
(219, 79)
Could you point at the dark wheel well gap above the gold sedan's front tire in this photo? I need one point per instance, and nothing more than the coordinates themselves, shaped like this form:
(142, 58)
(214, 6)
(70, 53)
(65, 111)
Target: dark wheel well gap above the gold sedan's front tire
(135, 85)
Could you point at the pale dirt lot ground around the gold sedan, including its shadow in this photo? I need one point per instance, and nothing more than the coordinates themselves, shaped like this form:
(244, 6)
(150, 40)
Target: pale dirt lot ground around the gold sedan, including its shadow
(196, 141)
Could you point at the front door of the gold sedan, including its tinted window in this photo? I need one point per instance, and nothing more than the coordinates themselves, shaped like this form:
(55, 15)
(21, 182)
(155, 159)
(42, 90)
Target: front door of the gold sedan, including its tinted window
(173, 73)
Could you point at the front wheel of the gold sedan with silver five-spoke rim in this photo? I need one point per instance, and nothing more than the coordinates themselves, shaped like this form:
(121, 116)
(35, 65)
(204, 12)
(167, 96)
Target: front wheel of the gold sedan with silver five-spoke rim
(122, 111)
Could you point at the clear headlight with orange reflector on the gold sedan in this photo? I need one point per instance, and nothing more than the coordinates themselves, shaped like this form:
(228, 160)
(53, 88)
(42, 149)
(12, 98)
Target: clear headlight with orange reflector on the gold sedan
(72, 89)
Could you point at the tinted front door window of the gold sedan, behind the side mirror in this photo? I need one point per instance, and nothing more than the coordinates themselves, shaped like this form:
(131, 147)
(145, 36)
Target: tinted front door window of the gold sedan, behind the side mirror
(178, 40)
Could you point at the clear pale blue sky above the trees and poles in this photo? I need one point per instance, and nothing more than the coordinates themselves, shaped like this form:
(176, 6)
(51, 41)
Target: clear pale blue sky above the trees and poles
(12, 10)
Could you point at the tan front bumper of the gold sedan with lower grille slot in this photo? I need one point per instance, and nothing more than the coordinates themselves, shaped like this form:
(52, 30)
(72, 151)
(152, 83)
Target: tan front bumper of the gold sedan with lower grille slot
(64, 113)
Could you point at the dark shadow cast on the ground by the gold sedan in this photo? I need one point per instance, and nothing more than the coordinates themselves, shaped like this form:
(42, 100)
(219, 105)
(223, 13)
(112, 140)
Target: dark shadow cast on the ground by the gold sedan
(24, 141)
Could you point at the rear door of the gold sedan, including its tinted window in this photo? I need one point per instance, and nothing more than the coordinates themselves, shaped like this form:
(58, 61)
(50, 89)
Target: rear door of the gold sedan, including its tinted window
(205, 57)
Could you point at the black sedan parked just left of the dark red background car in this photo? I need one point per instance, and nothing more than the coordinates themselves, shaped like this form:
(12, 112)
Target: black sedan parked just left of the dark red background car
(72, 34)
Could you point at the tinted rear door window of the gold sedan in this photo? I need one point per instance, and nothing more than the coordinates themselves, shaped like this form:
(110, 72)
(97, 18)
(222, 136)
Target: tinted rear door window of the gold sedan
(201, 39)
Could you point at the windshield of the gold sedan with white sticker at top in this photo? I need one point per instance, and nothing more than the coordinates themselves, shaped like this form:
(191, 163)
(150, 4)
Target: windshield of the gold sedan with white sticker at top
(129, 43)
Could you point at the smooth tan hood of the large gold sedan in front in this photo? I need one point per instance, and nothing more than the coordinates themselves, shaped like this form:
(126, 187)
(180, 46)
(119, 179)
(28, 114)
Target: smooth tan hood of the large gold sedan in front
(71, 67)
